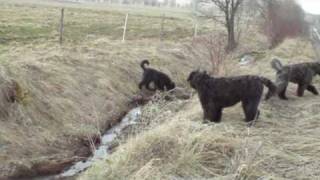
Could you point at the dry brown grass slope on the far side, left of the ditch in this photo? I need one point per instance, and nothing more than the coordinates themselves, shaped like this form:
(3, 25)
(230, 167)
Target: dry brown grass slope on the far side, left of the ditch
(71, 92)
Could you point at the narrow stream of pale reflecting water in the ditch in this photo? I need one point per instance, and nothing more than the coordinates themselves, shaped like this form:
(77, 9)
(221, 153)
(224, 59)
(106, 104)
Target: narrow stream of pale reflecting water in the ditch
(106, 142)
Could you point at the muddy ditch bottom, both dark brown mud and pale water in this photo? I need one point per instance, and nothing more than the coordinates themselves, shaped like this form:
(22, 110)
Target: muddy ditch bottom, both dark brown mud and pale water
(86, 152)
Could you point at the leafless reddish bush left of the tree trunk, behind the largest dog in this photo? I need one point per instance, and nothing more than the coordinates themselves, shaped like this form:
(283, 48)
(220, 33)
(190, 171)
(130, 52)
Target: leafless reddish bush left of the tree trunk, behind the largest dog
(214, 45)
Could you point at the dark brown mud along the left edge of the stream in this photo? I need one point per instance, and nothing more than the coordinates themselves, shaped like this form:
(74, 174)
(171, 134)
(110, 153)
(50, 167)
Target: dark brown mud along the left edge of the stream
(49, 168)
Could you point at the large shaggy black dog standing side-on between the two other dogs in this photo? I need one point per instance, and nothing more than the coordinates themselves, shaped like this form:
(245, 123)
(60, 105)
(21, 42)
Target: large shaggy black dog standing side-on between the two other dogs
(218, 93)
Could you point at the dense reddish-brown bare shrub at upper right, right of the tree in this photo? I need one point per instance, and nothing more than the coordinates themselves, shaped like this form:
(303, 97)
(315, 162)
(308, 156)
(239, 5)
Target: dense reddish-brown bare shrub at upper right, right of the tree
(283, 18)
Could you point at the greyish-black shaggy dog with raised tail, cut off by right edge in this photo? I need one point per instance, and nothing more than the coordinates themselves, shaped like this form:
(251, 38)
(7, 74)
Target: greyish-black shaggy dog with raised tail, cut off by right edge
(300, 74)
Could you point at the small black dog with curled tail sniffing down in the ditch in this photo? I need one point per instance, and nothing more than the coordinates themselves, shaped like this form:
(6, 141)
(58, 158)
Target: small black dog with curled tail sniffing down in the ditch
(161, 81)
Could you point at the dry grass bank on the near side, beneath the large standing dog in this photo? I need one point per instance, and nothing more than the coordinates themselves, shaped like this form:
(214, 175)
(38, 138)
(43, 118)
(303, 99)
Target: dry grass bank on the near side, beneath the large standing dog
(176, 145)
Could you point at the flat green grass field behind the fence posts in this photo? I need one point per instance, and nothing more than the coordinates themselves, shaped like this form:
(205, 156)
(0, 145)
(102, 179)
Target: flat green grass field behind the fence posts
(29, 23)
